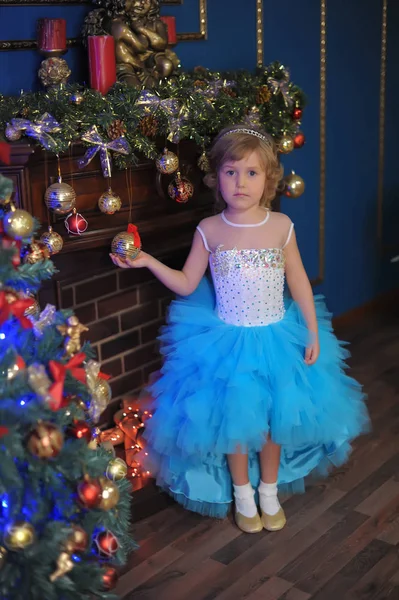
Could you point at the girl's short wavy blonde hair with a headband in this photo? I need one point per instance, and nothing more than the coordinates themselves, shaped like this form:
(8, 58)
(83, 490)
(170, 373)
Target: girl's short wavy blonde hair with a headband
(236, 142)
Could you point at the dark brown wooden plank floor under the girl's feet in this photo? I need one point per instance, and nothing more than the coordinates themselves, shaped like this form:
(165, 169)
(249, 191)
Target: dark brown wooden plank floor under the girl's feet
(342, 537)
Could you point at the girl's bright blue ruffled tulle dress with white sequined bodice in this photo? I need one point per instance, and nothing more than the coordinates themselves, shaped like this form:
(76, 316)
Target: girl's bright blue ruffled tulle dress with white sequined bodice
(234, 374)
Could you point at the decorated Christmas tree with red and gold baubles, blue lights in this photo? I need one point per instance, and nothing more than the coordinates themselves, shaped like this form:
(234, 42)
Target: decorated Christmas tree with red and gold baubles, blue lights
(64, 500)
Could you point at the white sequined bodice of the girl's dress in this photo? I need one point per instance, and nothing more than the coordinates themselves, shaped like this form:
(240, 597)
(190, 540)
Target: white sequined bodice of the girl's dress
(249, 285)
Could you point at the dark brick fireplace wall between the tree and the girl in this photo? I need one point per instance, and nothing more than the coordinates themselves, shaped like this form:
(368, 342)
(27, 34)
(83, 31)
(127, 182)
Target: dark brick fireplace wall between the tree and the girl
(124, 309)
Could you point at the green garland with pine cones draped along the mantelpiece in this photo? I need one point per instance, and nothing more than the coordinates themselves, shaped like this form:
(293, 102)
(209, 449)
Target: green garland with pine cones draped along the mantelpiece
(268, 95)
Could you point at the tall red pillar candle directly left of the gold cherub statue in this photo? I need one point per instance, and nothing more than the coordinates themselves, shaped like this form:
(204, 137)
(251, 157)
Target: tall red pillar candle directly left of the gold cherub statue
(102, 63)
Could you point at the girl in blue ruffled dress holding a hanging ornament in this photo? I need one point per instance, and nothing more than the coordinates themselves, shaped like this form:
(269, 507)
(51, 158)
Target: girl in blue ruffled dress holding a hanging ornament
(244, 397)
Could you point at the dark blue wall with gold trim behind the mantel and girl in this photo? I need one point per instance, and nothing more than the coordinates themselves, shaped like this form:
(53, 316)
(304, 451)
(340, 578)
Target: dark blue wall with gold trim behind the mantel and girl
(355, 272)
